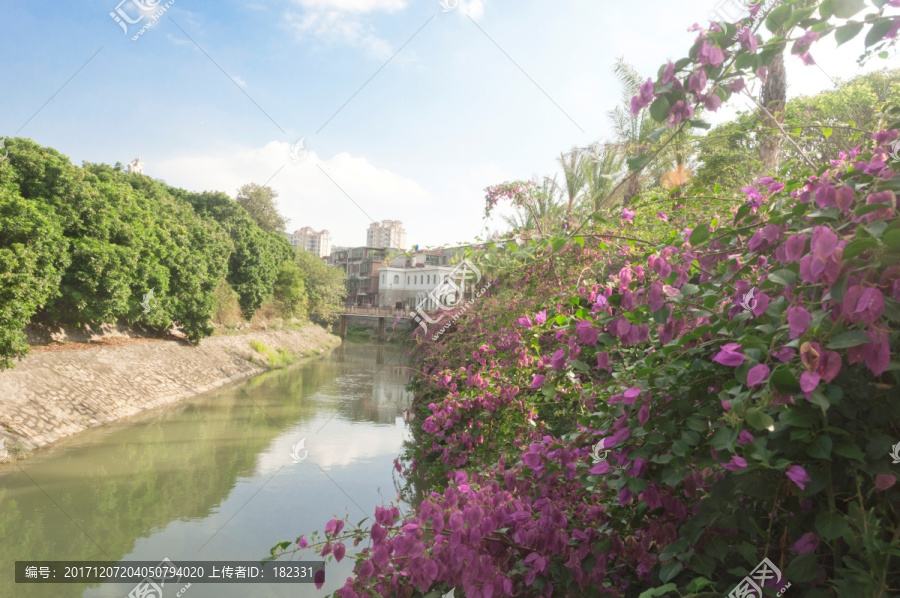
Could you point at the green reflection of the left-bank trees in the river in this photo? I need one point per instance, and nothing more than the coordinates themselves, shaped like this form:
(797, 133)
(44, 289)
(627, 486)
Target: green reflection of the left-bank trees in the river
(132, 479)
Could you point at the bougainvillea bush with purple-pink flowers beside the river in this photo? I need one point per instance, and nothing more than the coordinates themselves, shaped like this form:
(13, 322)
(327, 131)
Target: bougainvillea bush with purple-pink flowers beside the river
(630, 419)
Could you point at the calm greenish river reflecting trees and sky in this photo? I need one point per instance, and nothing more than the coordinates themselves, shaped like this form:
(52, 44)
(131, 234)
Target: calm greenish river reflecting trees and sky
(213, 478)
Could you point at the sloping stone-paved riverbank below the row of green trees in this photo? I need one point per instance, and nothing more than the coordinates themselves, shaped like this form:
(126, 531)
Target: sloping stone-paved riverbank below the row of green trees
(50, 395)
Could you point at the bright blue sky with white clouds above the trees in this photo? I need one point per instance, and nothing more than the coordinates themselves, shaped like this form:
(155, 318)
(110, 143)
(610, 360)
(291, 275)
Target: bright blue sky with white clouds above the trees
(215, 94)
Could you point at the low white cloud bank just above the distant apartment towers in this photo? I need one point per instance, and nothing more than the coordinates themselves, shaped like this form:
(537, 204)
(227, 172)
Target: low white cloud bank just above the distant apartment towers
(307, 195)
